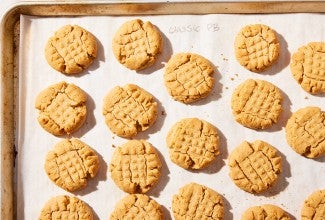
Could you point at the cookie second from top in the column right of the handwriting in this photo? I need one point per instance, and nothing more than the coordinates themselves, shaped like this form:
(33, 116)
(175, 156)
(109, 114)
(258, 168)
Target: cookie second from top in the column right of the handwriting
(256, 104)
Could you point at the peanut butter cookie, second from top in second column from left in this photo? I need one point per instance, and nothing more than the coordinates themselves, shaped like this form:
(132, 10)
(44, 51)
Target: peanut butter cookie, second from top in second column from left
(129, 110)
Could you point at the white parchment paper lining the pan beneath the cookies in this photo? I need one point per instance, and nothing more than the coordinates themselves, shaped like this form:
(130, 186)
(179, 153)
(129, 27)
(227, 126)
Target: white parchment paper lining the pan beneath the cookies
(212, 36)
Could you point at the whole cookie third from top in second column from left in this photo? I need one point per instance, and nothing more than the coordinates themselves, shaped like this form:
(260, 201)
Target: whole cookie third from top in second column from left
(135, 166)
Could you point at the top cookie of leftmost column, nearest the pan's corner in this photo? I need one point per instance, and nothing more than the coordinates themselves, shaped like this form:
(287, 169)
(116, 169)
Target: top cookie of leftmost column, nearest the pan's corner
(71, 50)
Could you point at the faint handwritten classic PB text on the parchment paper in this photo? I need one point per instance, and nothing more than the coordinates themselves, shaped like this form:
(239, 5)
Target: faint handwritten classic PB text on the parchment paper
(211, 27)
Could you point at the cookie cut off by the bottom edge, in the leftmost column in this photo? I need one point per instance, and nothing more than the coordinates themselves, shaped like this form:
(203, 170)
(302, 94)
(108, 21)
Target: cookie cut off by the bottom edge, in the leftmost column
(65, 207)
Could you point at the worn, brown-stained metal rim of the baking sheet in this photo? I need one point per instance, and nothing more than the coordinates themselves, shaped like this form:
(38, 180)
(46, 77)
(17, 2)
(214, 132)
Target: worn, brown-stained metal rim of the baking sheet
(9, 60)
